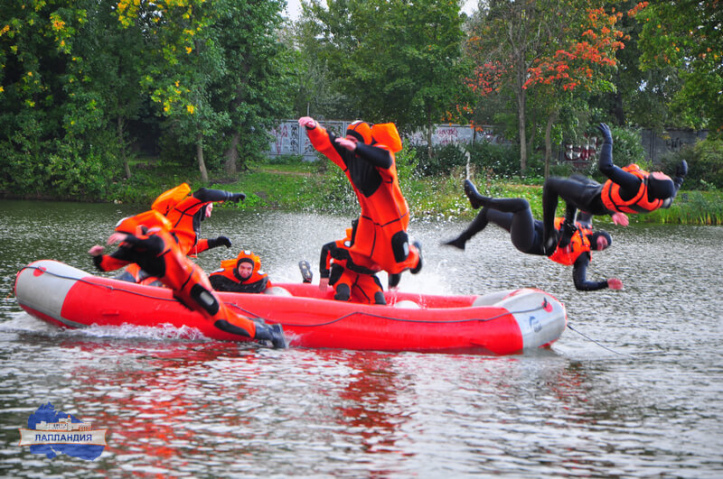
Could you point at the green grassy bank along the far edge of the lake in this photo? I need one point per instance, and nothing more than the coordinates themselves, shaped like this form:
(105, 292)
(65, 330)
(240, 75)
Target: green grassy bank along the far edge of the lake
(321, 187)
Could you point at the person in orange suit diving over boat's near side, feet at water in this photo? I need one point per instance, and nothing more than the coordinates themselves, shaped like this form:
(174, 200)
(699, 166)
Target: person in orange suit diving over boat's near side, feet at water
(145, 239)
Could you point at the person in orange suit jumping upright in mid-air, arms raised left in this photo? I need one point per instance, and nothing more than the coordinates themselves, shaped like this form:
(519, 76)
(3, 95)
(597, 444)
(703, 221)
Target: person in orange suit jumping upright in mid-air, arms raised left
(382, 242)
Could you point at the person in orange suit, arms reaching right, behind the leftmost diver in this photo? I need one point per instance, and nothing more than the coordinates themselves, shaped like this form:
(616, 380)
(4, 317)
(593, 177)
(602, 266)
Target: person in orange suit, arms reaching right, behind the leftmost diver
(186, 212)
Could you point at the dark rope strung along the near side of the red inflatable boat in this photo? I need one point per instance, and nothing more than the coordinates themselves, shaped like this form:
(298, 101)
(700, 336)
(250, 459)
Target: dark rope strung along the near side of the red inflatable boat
(249, 313)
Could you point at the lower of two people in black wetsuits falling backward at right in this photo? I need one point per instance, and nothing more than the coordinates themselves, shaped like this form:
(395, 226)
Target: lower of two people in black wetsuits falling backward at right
(514, 216)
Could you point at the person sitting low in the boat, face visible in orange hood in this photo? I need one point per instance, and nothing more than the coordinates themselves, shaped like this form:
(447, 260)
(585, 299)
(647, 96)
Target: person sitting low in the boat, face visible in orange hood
(241, 275)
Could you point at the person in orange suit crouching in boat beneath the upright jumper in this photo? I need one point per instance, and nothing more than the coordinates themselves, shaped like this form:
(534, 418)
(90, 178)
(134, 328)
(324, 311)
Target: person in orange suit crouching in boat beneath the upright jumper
(351, 282)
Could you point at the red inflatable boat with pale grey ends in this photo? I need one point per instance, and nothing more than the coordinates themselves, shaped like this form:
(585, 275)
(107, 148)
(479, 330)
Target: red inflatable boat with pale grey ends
(500, 323)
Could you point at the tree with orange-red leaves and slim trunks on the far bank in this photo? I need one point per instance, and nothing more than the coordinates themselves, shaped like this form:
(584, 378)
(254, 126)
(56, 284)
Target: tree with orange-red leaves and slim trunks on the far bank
(554, 46)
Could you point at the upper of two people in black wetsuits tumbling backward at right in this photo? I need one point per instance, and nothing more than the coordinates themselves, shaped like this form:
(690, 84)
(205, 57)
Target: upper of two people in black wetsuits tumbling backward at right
(628, 190)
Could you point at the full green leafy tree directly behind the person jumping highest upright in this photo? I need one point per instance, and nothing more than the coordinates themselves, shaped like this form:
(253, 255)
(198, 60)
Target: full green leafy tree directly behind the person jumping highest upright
(394, 60)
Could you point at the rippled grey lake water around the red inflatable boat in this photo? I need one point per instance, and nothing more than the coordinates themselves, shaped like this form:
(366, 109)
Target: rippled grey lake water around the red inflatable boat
(633, 389)
